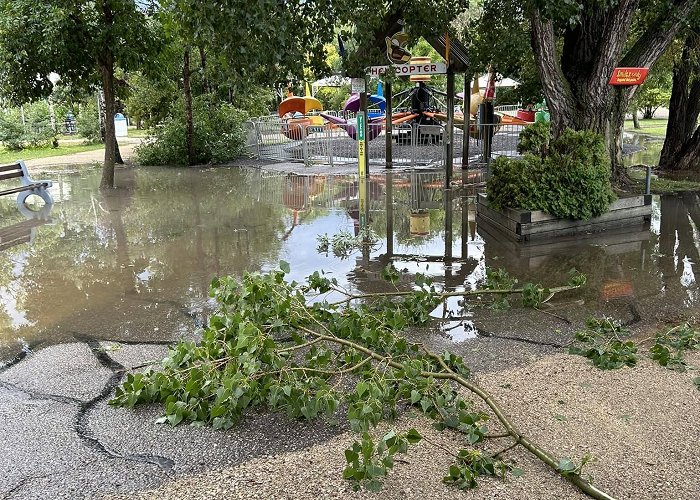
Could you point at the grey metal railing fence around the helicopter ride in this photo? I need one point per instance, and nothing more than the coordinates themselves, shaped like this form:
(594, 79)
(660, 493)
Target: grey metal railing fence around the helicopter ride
(413, 145)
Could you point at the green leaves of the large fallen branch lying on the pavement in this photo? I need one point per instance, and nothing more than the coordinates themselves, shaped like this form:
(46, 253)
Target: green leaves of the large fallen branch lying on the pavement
(268, 346)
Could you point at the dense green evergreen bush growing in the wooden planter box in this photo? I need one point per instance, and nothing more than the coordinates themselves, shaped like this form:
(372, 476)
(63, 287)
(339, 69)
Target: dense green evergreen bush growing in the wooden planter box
(571, 182)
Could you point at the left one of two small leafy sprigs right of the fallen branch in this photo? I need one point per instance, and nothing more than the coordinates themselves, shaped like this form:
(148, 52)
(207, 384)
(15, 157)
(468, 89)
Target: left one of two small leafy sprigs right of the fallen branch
(602, 341)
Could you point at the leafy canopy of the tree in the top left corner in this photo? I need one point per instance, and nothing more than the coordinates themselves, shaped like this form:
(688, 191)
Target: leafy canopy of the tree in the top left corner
(71, 39)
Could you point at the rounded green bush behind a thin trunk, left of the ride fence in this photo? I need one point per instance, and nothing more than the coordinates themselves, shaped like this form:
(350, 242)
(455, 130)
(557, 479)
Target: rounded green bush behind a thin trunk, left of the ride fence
(219, 136)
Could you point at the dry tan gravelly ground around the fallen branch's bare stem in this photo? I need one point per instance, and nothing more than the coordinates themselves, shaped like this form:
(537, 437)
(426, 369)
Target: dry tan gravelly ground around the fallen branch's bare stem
(640, 425)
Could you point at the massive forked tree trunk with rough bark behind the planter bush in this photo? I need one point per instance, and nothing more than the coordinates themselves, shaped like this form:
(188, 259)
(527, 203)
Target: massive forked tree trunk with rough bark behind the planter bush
(576, 83)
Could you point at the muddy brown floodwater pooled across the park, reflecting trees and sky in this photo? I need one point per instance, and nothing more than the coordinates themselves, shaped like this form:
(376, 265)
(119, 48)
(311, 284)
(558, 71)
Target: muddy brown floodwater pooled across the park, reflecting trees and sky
(135, 264)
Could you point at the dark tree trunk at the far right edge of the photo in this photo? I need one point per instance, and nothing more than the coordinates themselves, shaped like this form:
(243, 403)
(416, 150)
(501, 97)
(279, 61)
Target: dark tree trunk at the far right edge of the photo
(684, 108)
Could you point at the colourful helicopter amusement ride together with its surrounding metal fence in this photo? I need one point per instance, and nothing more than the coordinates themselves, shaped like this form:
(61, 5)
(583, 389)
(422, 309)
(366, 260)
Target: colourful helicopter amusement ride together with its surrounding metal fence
(423, 129)
